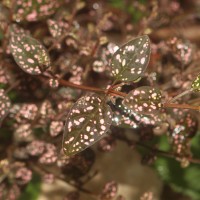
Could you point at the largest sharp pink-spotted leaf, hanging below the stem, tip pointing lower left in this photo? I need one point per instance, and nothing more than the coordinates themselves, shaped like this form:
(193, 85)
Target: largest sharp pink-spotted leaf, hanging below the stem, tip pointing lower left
(87, 122)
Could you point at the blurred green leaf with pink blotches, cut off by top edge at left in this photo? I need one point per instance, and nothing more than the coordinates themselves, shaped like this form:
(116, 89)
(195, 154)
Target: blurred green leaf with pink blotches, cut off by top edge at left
(34, 10)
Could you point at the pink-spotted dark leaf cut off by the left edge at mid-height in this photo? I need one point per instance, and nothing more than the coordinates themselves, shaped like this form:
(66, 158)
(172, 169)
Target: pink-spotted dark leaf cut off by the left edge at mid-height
(4, 104)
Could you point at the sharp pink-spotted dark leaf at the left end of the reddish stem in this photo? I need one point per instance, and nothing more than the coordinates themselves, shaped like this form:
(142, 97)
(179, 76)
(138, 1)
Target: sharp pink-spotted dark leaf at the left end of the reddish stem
(29, 54)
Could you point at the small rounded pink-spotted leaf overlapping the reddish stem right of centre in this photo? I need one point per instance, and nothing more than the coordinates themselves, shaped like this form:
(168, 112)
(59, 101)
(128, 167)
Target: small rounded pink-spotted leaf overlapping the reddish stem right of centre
(144, 100)
